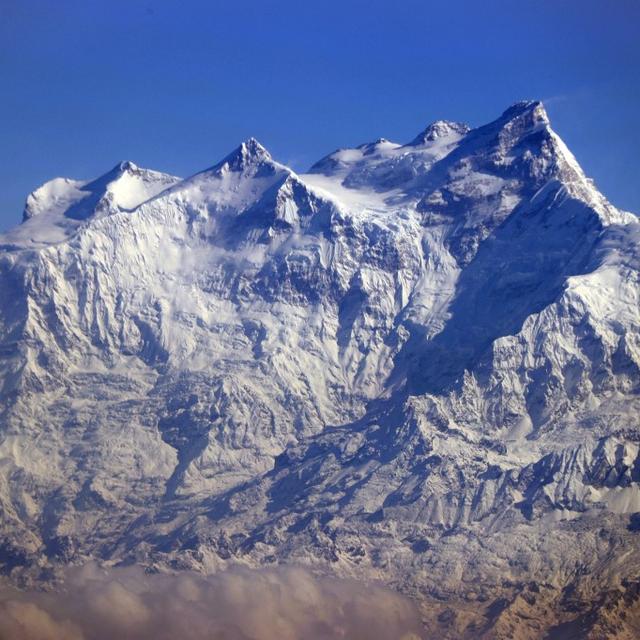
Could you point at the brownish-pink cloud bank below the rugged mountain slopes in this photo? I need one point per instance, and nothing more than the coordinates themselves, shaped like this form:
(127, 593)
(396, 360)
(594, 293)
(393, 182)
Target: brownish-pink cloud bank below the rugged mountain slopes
(240, 604)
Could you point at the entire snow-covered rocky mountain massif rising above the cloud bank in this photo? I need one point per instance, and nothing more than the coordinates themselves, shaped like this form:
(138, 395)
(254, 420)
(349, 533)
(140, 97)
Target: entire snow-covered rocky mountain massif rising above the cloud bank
(415, 362)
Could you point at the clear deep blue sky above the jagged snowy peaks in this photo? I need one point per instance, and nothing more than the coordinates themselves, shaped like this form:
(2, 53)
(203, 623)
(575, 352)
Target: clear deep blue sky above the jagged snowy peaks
(176, 85)
